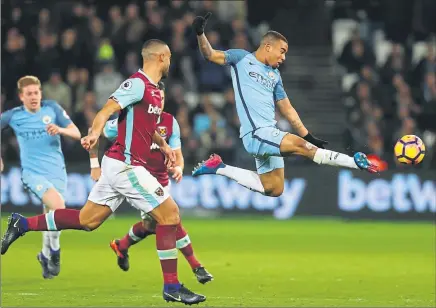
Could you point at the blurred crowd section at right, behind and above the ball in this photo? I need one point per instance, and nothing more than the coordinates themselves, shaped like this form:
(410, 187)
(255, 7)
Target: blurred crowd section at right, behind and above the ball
(390, 97)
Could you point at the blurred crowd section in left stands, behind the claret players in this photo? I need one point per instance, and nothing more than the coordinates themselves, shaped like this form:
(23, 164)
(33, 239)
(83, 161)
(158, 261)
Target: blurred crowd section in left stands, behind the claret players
(83, 51)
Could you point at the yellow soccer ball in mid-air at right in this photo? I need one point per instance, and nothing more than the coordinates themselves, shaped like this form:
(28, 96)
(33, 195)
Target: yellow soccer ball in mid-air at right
(410, 150)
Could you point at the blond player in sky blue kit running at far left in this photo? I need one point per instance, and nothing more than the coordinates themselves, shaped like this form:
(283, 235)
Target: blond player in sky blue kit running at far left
(38, 126)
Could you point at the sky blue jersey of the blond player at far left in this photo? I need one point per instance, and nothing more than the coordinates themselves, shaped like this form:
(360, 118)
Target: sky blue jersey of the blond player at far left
(40, 153)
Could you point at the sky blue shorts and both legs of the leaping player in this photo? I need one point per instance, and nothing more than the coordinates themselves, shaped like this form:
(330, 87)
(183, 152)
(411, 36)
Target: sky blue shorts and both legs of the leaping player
(267, 145)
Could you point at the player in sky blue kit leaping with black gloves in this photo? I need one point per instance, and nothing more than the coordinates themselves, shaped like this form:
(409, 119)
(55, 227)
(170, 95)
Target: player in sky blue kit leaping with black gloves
(259, 91)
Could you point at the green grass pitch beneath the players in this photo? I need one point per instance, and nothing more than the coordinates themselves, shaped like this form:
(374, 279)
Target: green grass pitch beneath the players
(256, 262)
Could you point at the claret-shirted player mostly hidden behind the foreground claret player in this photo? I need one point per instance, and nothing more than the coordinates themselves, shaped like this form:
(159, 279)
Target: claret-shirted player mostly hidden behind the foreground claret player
(169, 129)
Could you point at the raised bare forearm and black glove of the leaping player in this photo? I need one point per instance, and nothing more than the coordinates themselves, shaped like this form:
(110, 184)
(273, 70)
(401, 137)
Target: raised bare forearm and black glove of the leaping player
(215, 56)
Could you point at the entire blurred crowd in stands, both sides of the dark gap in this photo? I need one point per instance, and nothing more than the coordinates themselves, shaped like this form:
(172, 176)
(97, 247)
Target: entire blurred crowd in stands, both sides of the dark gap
(83, 50)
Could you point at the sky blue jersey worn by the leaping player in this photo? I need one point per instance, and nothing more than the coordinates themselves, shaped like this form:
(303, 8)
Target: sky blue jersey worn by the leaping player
(257, 88)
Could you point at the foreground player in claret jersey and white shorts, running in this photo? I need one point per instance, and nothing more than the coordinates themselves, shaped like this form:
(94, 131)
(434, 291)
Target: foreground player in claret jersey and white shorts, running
(124, 171)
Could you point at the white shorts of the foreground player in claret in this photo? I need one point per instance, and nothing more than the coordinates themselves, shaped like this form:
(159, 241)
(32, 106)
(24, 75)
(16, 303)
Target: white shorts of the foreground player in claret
(119, 181)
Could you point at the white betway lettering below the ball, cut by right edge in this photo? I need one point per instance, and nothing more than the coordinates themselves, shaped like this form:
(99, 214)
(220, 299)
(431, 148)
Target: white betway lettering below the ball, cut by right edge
(403, 193)
